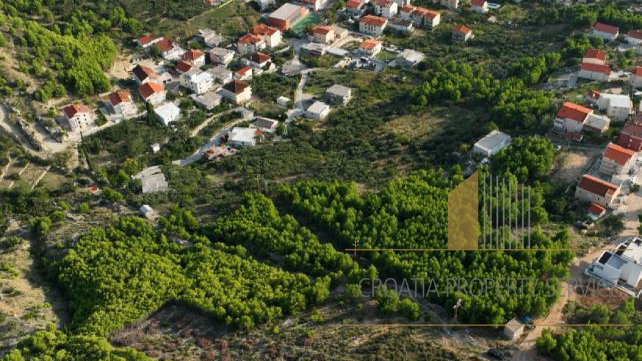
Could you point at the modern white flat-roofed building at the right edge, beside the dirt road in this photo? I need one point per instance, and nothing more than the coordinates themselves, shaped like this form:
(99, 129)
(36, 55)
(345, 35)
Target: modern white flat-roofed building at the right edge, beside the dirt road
(621, 267)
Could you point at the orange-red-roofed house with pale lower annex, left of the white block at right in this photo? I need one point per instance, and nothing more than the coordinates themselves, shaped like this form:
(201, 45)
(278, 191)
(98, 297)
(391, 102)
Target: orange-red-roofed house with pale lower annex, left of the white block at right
(574, 118)
